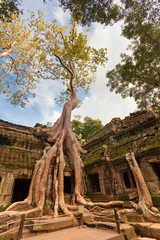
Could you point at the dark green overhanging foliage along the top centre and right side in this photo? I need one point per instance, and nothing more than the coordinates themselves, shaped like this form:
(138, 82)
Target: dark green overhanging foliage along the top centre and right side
(138, 74)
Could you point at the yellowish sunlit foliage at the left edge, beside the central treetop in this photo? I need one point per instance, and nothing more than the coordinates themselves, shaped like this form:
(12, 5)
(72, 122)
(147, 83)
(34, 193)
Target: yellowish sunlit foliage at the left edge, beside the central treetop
(19, 59)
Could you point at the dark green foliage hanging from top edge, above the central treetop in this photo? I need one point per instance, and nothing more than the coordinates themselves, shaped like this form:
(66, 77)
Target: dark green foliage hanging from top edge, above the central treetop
(87, 11)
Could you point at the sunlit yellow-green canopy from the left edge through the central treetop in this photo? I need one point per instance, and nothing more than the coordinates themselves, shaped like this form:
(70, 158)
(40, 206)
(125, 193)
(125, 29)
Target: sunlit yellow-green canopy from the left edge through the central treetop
(44, 50)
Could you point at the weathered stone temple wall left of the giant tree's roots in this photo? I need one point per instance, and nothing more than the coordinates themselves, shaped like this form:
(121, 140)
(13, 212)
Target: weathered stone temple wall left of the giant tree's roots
(19, 150)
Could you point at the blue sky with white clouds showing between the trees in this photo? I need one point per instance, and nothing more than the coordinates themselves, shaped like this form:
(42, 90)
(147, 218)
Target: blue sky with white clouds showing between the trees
(100, 103)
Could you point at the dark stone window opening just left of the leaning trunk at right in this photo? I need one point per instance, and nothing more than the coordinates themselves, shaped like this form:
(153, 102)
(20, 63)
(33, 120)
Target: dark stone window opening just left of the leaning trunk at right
(128, 180)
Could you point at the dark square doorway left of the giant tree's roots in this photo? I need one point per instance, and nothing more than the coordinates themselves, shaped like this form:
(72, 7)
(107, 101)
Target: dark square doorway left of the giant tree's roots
(21, 189)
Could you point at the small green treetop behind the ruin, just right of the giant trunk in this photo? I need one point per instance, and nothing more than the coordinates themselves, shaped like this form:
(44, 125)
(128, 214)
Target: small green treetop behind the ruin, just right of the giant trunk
(86, 128)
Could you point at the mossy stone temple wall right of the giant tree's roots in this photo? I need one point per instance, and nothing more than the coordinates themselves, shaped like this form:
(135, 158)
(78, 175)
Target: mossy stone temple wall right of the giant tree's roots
(140, 133)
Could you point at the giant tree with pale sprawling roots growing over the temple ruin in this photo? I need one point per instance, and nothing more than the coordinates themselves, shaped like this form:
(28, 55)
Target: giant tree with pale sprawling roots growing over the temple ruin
(65, 56)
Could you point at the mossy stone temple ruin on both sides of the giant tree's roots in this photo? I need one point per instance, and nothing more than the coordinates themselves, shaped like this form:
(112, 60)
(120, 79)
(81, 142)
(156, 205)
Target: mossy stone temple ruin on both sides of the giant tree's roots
(107, 175)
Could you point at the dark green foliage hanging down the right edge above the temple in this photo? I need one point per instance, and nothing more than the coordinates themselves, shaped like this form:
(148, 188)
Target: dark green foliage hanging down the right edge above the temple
(138, 75)
